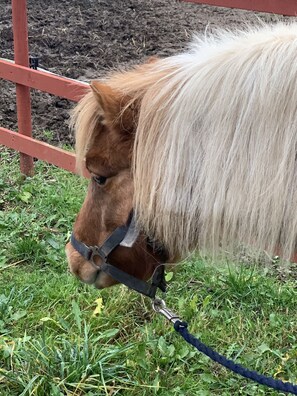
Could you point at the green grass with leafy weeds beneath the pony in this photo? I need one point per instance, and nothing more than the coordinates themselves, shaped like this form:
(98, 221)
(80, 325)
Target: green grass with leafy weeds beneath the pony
(51, 343)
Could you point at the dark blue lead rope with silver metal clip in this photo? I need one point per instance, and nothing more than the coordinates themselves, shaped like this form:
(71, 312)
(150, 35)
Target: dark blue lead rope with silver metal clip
(182, 328)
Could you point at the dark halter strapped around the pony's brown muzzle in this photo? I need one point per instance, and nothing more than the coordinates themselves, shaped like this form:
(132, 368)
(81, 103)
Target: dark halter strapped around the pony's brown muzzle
(125, 236)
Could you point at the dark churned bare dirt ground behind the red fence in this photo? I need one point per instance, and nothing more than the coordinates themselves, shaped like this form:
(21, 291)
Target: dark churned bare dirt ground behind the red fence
(84, 39)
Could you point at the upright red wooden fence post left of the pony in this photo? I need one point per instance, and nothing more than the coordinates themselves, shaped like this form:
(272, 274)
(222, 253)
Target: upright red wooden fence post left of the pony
(21, 57)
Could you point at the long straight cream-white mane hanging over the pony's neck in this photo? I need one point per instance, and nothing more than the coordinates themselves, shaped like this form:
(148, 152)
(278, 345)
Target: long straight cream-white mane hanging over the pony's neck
(215, 149)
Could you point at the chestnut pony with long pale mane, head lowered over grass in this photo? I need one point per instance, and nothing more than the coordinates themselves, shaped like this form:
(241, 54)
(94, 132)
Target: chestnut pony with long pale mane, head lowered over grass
(202, 145)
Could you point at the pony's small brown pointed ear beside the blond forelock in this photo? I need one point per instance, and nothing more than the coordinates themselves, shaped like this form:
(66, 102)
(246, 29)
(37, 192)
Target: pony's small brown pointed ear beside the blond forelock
(107, 98)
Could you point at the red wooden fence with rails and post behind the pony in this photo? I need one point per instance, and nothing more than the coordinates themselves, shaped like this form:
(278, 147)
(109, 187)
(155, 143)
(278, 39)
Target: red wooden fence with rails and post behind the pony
(26, 78)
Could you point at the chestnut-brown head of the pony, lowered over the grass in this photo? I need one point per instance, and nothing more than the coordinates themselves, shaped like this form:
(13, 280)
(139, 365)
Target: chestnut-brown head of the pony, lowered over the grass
(104, 122)
